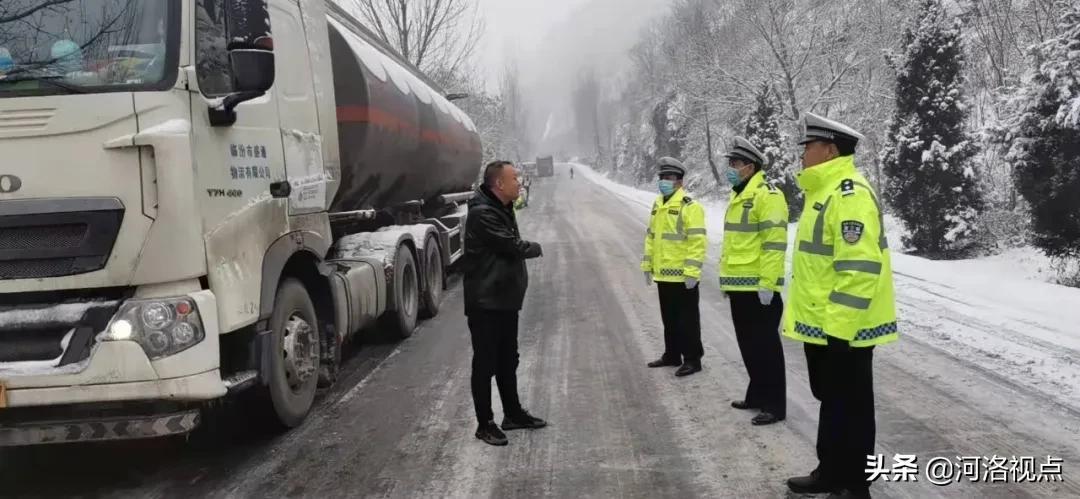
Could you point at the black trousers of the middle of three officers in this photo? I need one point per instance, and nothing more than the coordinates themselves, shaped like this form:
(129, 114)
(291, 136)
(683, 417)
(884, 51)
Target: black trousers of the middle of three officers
(758, 332)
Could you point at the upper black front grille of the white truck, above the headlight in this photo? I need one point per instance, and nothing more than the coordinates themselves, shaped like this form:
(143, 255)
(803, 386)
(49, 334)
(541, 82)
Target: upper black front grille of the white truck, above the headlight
(51, 238)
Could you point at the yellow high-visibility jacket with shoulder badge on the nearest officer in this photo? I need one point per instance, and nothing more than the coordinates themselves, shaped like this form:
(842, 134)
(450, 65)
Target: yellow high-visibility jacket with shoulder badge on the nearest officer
(842, 272)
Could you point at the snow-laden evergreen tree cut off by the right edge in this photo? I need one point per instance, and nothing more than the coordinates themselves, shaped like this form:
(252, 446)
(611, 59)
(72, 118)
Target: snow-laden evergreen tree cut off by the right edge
(1046, 142)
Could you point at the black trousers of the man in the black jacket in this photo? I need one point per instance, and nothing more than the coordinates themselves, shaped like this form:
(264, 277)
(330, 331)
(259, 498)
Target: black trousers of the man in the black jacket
(495, 354)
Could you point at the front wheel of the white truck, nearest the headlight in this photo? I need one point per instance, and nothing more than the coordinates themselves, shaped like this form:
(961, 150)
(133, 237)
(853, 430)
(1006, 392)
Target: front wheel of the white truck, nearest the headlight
(293, 373)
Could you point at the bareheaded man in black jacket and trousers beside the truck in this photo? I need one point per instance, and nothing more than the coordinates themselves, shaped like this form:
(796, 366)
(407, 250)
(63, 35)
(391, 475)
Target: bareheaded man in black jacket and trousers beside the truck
(495, 282)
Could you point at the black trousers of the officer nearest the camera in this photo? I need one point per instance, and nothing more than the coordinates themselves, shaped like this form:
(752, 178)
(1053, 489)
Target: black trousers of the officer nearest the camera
(844, 384)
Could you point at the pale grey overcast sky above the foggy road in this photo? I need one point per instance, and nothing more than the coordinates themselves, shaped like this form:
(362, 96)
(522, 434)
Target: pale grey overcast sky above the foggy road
(551, 42)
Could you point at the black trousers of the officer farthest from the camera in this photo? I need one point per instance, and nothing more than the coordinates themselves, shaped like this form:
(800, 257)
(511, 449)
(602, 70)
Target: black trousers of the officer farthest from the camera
(679, 309)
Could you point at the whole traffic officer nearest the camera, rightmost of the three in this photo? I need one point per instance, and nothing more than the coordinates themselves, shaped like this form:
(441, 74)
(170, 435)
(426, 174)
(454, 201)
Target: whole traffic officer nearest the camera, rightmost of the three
(841, 305)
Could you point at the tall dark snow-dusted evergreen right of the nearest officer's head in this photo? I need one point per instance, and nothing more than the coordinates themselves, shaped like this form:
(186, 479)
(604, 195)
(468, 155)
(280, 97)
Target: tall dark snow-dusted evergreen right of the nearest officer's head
(928, 159)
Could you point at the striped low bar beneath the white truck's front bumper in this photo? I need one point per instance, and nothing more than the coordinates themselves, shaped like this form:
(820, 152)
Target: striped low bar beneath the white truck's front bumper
(115, 429)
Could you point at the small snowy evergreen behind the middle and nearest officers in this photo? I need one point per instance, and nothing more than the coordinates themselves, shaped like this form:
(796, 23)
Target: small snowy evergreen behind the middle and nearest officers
(763, 131)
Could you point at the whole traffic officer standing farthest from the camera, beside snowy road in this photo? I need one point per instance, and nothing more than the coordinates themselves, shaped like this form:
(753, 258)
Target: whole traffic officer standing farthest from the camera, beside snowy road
(674, 255)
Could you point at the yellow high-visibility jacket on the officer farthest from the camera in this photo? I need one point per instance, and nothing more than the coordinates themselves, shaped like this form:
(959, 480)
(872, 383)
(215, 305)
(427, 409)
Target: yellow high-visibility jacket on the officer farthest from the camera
(676, 241)
